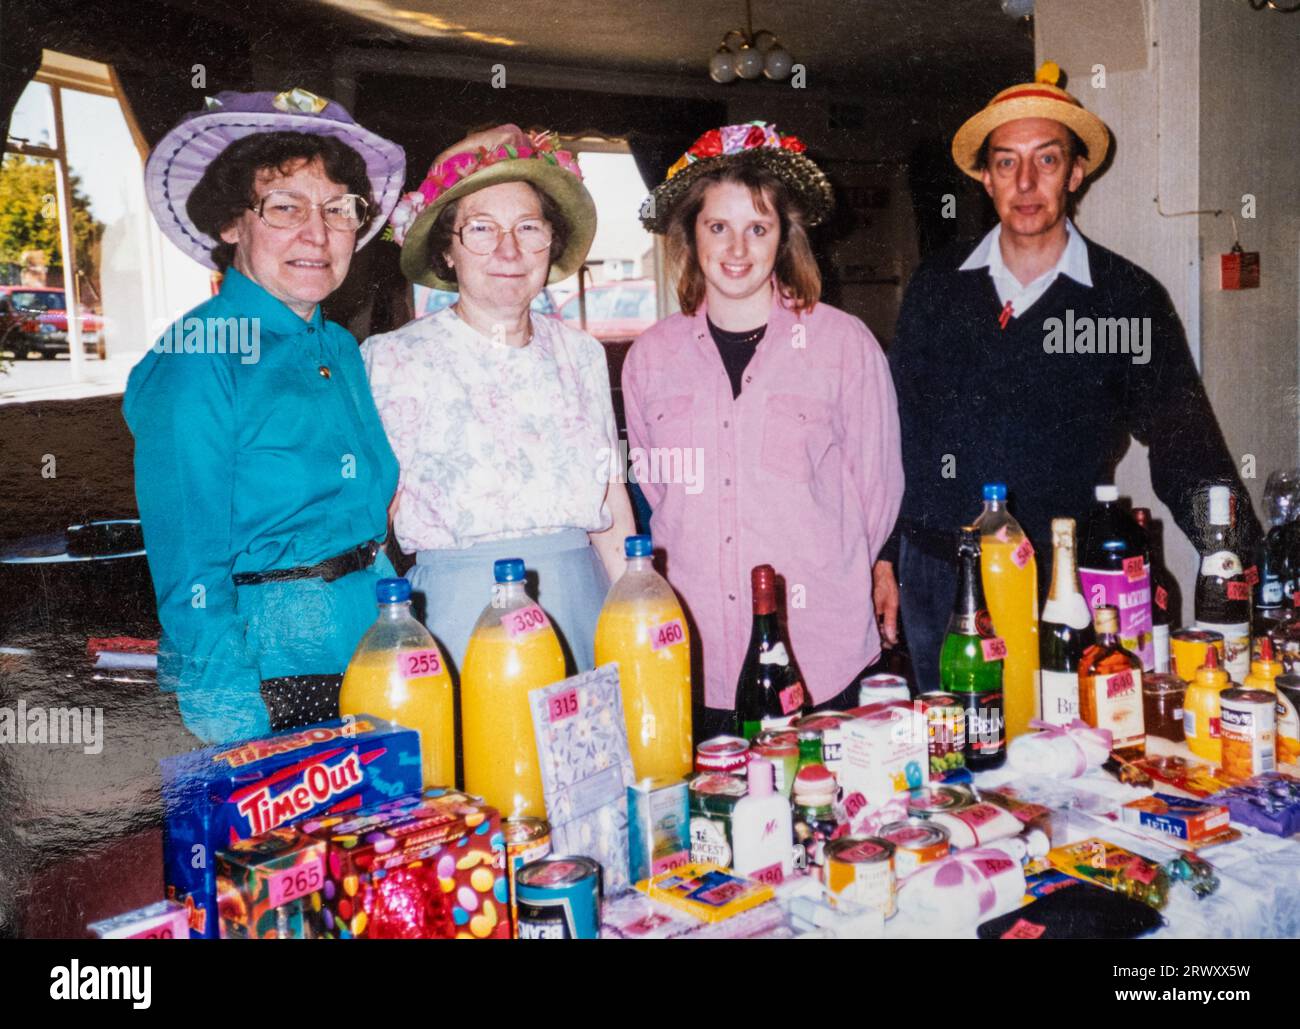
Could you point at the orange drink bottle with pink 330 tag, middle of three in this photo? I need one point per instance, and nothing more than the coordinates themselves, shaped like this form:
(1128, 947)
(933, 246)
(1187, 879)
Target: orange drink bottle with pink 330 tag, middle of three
(513, 650)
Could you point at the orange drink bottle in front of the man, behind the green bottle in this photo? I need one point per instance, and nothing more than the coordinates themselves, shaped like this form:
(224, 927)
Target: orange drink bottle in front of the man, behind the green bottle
(1011, 579)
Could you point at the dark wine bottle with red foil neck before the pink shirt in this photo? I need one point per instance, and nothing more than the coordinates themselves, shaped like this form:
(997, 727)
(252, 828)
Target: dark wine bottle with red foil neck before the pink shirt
(770, 693)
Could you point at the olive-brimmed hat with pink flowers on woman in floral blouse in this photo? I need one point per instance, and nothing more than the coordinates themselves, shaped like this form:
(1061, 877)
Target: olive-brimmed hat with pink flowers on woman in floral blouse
(536, 159)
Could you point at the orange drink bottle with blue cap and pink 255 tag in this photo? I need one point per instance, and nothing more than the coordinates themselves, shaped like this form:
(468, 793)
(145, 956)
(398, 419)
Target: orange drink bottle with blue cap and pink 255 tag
(398, 672)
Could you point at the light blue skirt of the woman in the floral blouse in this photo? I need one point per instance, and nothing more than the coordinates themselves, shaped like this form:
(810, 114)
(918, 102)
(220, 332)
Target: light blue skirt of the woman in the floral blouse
(565, 576)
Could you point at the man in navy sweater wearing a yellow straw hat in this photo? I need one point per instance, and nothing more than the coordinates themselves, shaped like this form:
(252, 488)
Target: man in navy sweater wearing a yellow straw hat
(1030, 361)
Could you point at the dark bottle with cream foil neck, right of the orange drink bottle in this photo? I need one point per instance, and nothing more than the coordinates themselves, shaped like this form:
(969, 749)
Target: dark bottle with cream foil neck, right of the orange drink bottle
(1065, 632)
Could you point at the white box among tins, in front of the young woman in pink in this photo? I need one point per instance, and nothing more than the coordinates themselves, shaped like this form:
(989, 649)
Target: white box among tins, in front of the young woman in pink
(886, 752)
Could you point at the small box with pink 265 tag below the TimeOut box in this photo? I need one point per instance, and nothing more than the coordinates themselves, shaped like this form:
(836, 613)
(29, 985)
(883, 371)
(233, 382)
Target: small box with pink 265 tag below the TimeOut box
(270, 887)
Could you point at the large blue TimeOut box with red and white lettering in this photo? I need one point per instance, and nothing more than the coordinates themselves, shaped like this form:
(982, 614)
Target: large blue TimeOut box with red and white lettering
(216, 797)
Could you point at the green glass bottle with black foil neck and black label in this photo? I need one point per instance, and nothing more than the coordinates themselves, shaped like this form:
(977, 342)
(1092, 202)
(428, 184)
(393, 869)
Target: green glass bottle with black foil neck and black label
(970, 663)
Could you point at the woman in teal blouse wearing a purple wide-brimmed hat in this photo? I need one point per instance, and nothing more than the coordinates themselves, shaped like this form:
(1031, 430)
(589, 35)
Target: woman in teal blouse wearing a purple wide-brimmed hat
(262, 468)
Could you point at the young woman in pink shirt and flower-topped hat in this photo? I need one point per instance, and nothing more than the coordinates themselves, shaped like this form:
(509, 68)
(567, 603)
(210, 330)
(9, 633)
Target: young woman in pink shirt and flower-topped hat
(762, 424)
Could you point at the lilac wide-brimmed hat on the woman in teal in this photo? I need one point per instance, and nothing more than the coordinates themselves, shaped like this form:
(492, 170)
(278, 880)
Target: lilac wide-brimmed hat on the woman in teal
(181, 158)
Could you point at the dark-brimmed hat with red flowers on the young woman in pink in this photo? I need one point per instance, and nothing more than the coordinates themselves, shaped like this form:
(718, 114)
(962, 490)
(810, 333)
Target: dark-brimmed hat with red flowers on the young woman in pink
(756, 142)
